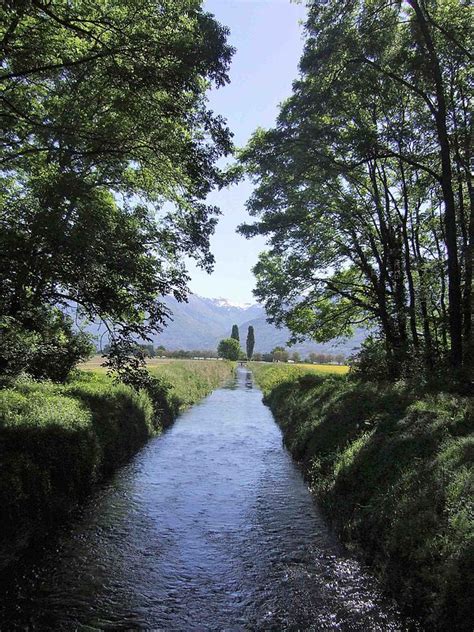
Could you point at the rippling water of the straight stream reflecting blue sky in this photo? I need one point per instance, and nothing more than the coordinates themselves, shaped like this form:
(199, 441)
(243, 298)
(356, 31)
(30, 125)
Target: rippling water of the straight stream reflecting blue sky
(211, 527)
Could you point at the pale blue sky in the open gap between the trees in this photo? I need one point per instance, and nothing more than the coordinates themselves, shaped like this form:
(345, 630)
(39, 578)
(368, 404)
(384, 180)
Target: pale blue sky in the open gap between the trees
(268, 37)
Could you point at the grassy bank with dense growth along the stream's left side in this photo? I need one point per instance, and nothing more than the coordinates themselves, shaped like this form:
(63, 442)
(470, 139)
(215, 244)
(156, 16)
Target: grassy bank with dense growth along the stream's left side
(57, 441)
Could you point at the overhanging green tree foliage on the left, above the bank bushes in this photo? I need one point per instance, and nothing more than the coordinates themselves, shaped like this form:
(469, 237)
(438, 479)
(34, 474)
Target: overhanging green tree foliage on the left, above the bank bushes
(108, 153)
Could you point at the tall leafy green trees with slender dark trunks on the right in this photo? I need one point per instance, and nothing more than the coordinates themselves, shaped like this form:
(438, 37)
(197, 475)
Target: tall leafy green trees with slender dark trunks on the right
(364, 186)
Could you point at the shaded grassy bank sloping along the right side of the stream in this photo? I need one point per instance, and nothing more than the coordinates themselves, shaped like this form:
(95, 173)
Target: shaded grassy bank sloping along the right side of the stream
(392, 468)
